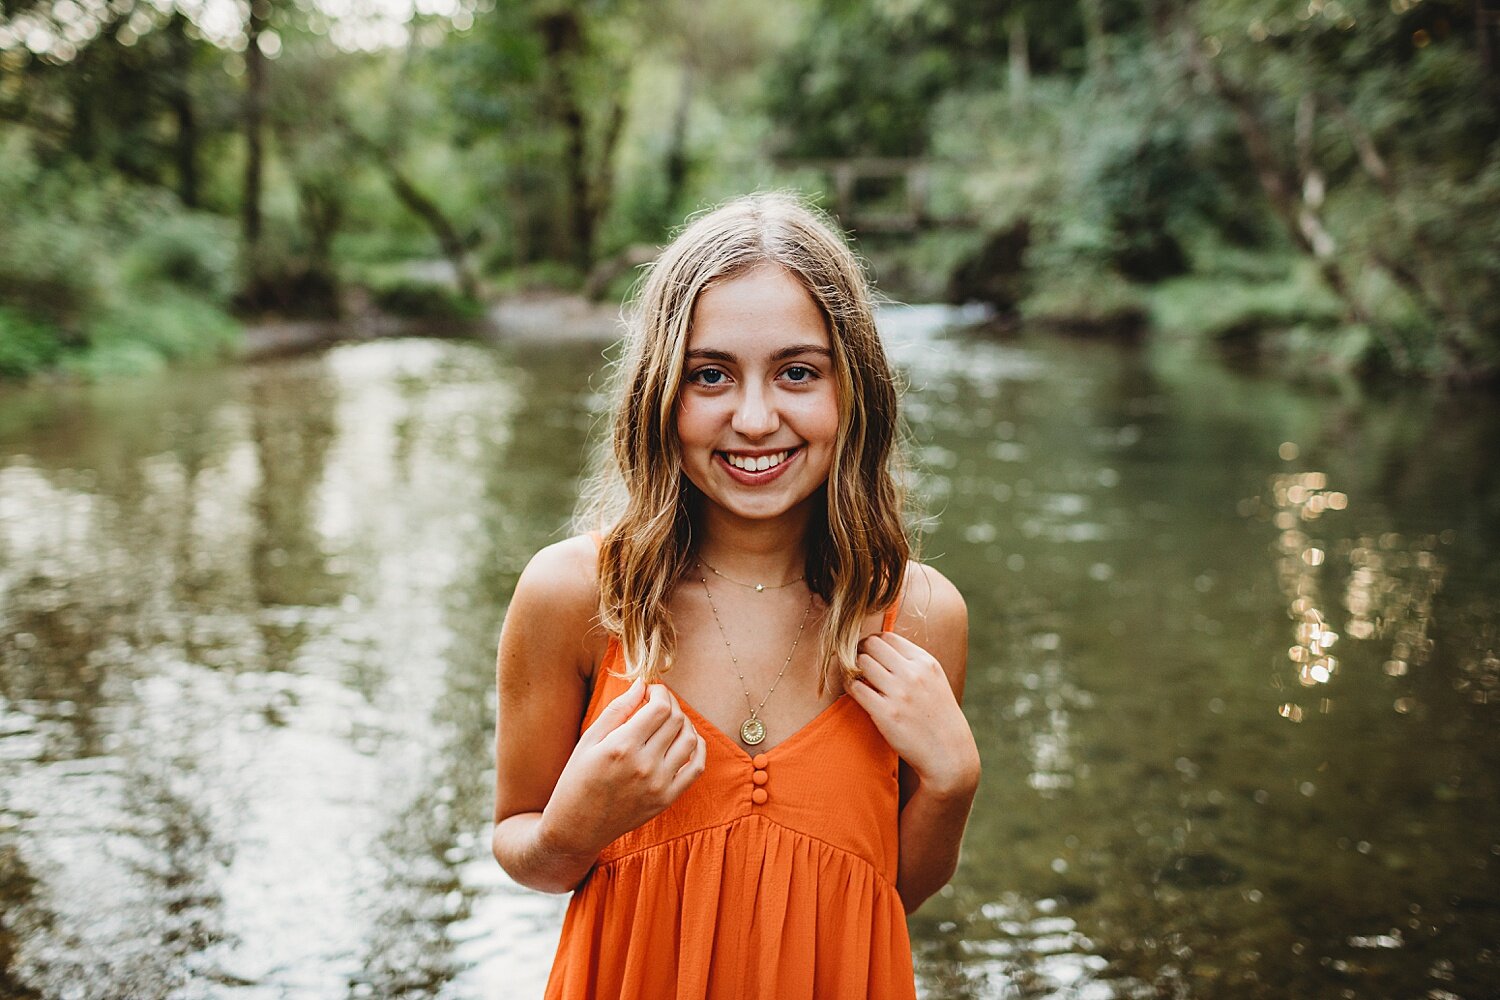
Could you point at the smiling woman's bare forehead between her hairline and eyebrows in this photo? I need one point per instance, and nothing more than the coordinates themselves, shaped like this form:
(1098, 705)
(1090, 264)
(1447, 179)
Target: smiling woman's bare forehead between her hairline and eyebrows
(754, 314)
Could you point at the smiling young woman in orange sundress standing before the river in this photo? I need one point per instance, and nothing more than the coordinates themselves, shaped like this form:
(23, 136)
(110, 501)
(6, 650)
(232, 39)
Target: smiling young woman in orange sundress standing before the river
(730, 719)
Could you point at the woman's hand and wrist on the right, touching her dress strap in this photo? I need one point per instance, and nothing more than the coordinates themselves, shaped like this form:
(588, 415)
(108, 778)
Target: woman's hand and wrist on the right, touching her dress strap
(911, 701)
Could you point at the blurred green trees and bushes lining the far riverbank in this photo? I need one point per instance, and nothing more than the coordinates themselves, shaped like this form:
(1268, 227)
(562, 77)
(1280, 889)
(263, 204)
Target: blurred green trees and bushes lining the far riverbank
(1109, 169)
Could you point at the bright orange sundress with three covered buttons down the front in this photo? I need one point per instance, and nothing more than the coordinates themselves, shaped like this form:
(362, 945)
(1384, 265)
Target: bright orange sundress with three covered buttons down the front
(773, 878)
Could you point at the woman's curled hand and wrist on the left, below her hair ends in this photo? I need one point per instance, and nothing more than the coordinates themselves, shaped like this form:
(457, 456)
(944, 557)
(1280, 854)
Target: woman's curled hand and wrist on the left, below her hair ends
(631, 765)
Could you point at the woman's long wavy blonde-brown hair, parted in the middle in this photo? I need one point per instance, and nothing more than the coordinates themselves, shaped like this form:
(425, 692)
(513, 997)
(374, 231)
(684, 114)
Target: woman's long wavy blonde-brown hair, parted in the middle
(643, 503)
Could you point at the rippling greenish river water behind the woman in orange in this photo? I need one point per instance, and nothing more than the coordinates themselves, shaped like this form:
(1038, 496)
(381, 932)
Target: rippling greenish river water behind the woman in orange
(1234, 672)
